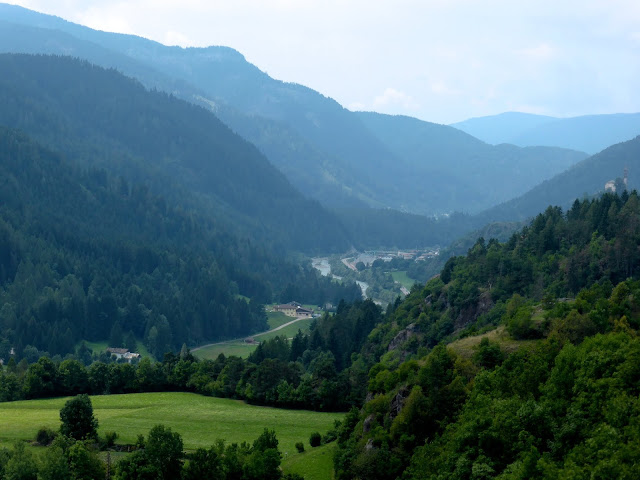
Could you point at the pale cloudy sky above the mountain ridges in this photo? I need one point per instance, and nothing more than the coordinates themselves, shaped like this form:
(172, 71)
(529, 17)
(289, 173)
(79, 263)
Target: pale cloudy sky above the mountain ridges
(438, 60)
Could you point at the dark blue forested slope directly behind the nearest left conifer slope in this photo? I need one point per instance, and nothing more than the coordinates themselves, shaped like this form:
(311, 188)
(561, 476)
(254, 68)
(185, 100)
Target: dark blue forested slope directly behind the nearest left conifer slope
(101, 118)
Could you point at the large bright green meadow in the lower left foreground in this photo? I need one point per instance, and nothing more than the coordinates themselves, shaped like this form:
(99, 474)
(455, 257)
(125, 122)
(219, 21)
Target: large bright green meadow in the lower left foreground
(200, 420)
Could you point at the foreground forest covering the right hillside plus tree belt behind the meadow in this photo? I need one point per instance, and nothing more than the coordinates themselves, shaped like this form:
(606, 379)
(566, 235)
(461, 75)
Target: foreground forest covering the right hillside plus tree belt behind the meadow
(546, 388)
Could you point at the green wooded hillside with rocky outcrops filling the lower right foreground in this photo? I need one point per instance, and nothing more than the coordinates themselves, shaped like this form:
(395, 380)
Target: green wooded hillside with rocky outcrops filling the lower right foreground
(550, 390)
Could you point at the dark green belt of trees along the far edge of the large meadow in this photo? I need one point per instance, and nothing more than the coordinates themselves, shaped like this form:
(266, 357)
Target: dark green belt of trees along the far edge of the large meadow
(313, 371)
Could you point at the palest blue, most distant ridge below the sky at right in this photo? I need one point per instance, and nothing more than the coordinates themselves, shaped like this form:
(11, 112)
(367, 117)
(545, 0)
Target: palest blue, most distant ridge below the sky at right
(588, 133)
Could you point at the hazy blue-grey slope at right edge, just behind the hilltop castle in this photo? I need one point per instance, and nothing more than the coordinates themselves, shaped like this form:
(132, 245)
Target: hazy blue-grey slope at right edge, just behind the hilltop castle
(586, 178)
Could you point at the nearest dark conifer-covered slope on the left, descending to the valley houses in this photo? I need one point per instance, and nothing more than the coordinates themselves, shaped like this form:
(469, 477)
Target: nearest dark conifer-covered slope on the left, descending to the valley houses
(83, 253)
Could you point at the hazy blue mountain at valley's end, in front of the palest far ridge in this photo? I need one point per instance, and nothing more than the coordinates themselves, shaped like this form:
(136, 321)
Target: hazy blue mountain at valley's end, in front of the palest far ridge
(461, 171)
